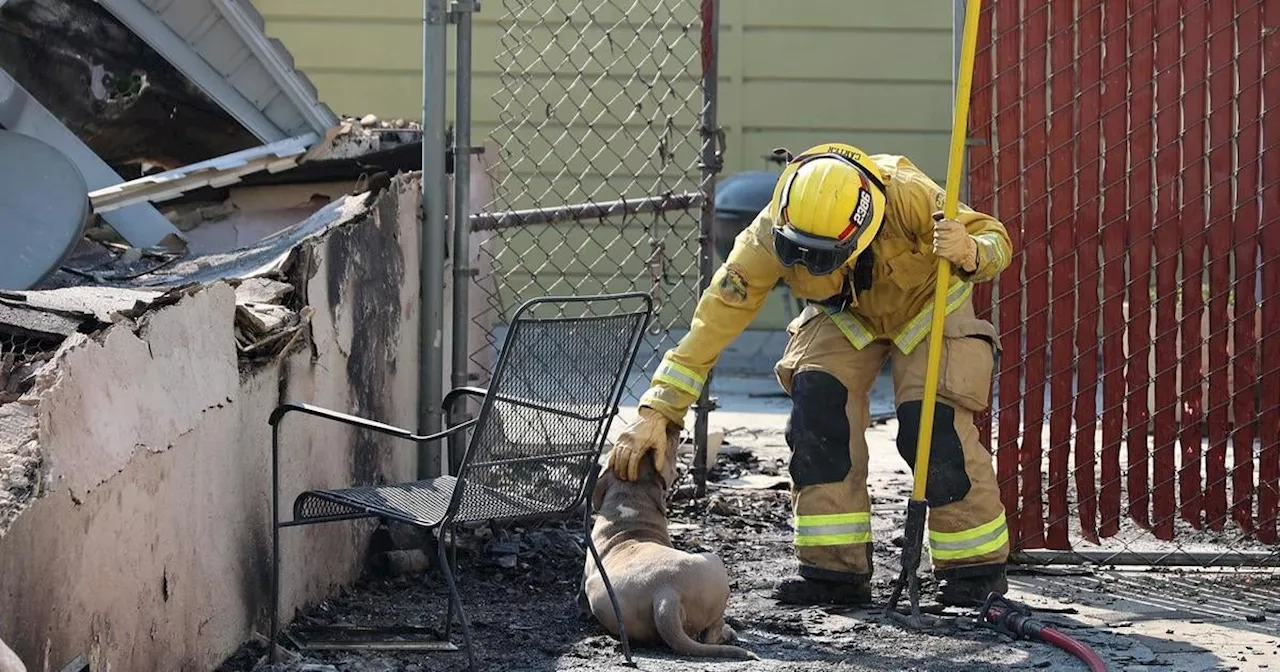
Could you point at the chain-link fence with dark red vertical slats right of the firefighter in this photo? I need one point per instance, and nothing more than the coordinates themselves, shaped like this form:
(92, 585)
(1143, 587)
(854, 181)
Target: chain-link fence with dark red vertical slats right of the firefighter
(1127, 149)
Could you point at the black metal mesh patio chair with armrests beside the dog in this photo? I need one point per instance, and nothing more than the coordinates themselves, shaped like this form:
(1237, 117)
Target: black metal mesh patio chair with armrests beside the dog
(536, 444)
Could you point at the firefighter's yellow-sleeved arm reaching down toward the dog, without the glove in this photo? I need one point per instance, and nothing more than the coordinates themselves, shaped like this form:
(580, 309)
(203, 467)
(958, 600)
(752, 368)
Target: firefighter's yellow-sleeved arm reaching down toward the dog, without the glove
(737, 294)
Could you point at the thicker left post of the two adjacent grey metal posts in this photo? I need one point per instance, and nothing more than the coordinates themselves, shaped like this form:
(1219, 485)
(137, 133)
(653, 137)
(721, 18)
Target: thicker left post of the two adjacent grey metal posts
(433, 236)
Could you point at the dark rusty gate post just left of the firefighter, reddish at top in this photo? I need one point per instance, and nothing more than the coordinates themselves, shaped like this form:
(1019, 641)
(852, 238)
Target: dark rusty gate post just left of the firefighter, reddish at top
(711, 166)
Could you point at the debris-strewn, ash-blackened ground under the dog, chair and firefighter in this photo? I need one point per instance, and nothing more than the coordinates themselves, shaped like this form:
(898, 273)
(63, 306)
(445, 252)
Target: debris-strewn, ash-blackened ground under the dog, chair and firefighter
(525, 615)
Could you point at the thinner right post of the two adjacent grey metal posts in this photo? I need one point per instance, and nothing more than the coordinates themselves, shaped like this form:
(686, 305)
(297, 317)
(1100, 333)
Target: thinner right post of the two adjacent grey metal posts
(460, 368)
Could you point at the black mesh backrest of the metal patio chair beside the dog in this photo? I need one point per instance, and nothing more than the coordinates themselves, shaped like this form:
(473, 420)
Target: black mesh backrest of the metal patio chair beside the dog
(555, 391)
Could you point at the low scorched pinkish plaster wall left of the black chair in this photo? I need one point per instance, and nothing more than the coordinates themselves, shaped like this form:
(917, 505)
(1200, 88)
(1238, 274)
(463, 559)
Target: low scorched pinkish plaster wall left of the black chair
(147, 540)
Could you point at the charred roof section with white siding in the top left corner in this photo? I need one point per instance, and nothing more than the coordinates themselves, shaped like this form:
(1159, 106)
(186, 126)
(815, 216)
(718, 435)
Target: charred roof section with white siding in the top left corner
(159, 83)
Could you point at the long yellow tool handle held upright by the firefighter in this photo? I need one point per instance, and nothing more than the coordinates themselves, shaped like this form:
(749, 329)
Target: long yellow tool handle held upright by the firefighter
(950, 208)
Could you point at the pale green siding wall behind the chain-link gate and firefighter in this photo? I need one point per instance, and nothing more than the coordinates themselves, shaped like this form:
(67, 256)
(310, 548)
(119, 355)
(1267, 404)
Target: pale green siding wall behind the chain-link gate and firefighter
(793, 74)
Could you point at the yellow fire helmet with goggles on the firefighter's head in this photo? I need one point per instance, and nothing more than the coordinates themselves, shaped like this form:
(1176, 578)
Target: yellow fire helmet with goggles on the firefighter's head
(828, 207)
